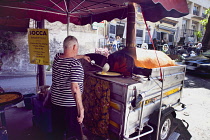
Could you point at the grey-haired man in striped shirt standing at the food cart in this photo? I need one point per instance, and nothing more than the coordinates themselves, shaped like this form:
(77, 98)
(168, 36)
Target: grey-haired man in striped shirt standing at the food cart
(67, 88)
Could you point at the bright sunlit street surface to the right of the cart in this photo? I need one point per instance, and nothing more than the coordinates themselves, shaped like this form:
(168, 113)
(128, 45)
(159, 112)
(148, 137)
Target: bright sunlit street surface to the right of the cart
(196, 95)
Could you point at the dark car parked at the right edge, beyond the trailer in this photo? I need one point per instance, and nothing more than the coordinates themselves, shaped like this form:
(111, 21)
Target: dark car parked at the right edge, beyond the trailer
(198, 64)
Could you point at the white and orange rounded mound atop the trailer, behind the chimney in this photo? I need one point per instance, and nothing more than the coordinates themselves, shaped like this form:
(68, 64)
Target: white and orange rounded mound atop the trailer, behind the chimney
(149, 59)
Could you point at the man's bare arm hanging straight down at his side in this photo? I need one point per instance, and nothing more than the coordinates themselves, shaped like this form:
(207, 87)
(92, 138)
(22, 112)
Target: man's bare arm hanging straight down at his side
(78, 98)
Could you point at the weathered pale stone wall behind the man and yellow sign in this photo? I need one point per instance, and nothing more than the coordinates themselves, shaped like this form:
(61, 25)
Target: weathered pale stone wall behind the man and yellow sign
(19, 60)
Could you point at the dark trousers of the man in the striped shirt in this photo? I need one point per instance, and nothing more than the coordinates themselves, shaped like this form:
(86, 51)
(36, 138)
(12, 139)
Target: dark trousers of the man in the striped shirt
(64, 121)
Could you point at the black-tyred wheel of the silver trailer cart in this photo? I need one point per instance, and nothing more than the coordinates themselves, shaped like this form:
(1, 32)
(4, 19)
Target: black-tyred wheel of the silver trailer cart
(165, 128)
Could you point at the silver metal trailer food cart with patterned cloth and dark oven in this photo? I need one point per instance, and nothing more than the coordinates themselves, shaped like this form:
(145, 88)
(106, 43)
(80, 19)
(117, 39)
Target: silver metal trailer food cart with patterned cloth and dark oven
(126, 105)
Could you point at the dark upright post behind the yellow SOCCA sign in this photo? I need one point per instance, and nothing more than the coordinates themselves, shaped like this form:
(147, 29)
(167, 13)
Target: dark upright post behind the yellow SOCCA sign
(41, 68)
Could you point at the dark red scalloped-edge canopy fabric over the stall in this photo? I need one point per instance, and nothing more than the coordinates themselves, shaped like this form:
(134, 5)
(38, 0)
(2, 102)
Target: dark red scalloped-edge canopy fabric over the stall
(84, 12)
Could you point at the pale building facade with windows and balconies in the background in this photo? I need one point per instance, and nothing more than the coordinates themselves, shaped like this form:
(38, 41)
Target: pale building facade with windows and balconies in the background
(174, 31)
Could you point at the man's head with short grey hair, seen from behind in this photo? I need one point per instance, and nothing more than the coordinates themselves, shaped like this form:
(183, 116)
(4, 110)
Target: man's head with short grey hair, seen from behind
(70, 45)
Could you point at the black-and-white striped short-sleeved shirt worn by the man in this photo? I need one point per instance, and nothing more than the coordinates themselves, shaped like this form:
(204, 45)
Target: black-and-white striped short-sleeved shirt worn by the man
(64, 72)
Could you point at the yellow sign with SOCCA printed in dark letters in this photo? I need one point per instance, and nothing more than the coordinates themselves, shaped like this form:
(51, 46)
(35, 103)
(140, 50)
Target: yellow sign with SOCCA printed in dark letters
(38, 40)
